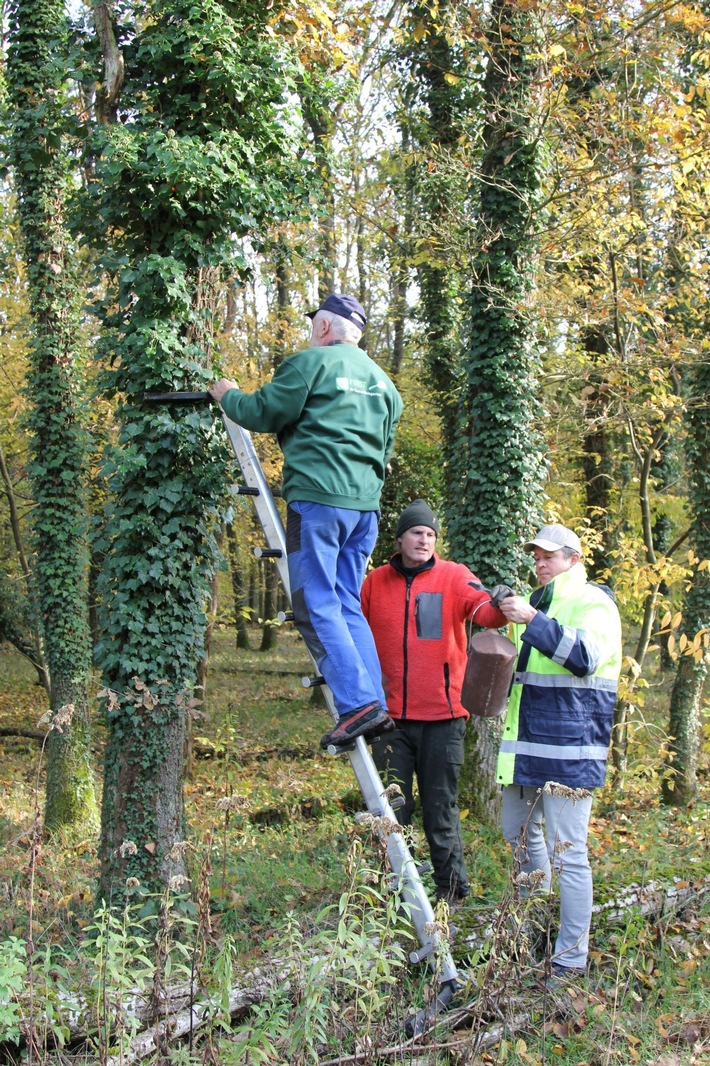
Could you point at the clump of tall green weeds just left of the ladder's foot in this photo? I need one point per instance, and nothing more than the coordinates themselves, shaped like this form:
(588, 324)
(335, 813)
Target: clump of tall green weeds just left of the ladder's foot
(344, 978)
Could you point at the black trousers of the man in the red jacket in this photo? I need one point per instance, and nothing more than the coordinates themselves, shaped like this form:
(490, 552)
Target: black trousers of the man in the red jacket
(434, 753)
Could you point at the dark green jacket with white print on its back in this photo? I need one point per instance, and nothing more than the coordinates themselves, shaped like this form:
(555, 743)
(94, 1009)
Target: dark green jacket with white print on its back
(335, 414)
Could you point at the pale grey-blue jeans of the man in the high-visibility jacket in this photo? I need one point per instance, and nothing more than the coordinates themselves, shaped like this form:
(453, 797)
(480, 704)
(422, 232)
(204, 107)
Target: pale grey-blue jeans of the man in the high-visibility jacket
(561, 846)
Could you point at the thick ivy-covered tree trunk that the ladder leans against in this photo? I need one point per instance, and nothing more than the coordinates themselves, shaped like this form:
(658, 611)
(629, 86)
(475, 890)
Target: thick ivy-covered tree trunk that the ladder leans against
(192, 164)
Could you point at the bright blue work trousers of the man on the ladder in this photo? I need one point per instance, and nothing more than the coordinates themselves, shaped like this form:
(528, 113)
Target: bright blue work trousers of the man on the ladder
(328, 554)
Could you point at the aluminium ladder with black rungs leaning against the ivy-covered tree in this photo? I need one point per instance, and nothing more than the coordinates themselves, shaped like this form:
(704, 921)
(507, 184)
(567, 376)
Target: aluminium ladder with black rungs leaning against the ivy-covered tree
(404, 865)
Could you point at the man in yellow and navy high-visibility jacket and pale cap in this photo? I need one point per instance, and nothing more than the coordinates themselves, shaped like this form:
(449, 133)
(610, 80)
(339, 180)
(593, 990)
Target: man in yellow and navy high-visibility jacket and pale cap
(557, 732)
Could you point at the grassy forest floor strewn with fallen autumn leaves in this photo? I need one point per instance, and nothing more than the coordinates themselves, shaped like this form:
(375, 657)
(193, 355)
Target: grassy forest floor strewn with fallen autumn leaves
(286, 844)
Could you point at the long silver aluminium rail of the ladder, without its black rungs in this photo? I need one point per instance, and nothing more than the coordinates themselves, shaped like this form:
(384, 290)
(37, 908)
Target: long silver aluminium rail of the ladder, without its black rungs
(361, 760)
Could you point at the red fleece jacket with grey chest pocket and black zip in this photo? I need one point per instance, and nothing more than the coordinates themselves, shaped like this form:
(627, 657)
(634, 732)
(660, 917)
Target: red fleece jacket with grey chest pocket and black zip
(418, 623)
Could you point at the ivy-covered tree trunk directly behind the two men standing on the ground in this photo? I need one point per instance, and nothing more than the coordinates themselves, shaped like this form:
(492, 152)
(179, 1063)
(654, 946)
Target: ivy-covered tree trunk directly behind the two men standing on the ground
(496, 449)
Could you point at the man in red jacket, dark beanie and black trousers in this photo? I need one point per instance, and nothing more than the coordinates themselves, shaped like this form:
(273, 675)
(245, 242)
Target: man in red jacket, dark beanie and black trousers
(417, 607)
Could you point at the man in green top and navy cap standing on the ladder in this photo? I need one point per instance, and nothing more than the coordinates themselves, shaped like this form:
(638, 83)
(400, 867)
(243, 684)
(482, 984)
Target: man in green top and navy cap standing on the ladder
(335, 414)
